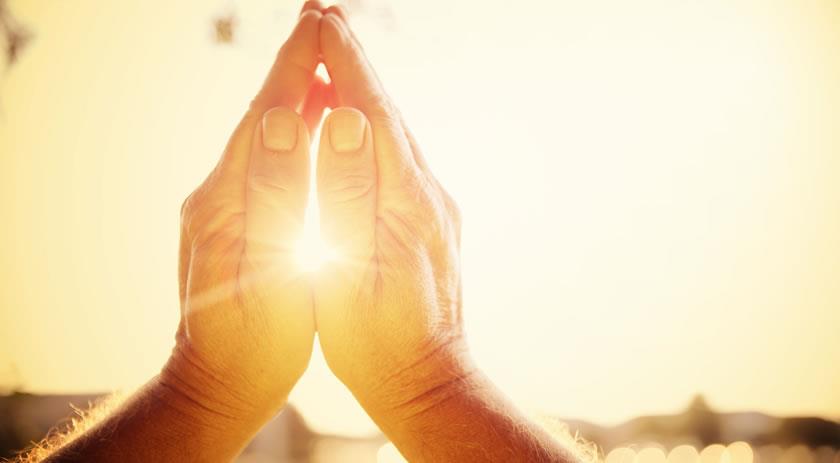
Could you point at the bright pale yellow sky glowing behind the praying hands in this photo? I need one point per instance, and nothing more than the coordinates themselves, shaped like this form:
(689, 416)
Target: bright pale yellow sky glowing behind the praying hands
(651, 192)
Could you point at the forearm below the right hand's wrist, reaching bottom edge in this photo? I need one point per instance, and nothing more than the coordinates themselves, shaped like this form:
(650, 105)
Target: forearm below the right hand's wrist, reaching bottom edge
(461, 416)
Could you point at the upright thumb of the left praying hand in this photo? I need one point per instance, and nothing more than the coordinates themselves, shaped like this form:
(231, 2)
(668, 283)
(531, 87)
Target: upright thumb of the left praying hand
(277, 186)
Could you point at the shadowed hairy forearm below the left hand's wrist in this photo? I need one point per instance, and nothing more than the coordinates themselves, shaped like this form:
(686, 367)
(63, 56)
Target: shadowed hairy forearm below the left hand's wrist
(161, 423)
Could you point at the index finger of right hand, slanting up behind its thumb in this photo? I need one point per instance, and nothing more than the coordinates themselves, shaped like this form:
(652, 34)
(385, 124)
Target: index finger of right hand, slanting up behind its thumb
(356, 85)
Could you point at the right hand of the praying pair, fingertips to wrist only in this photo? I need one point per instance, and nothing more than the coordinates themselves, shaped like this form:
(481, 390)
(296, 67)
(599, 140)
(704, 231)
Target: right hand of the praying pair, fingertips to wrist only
(388, 308)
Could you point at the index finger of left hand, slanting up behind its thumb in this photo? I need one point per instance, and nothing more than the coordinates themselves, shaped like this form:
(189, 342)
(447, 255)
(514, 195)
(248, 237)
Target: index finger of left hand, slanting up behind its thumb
(286, 85)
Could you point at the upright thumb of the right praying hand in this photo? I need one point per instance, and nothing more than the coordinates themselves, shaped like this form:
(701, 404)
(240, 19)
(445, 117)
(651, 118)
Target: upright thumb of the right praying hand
(346, 178)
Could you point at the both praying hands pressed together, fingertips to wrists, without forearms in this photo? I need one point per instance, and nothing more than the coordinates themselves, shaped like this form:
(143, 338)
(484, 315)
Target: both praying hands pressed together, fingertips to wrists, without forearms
(387, 309)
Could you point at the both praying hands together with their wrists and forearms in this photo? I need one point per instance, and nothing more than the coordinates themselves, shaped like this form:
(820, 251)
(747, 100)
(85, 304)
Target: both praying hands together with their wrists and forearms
(386, 305)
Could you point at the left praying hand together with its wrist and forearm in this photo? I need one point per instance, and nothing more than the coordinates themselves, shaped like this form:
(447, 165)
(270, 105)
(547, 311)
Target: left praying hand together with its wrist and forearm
(247, 326)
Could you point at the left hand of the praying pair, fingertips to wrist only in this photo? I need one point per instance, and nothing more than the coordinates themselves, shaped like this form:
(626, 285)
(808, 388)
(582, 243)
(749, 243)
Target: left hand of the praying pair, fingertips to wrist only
(247, 326)
